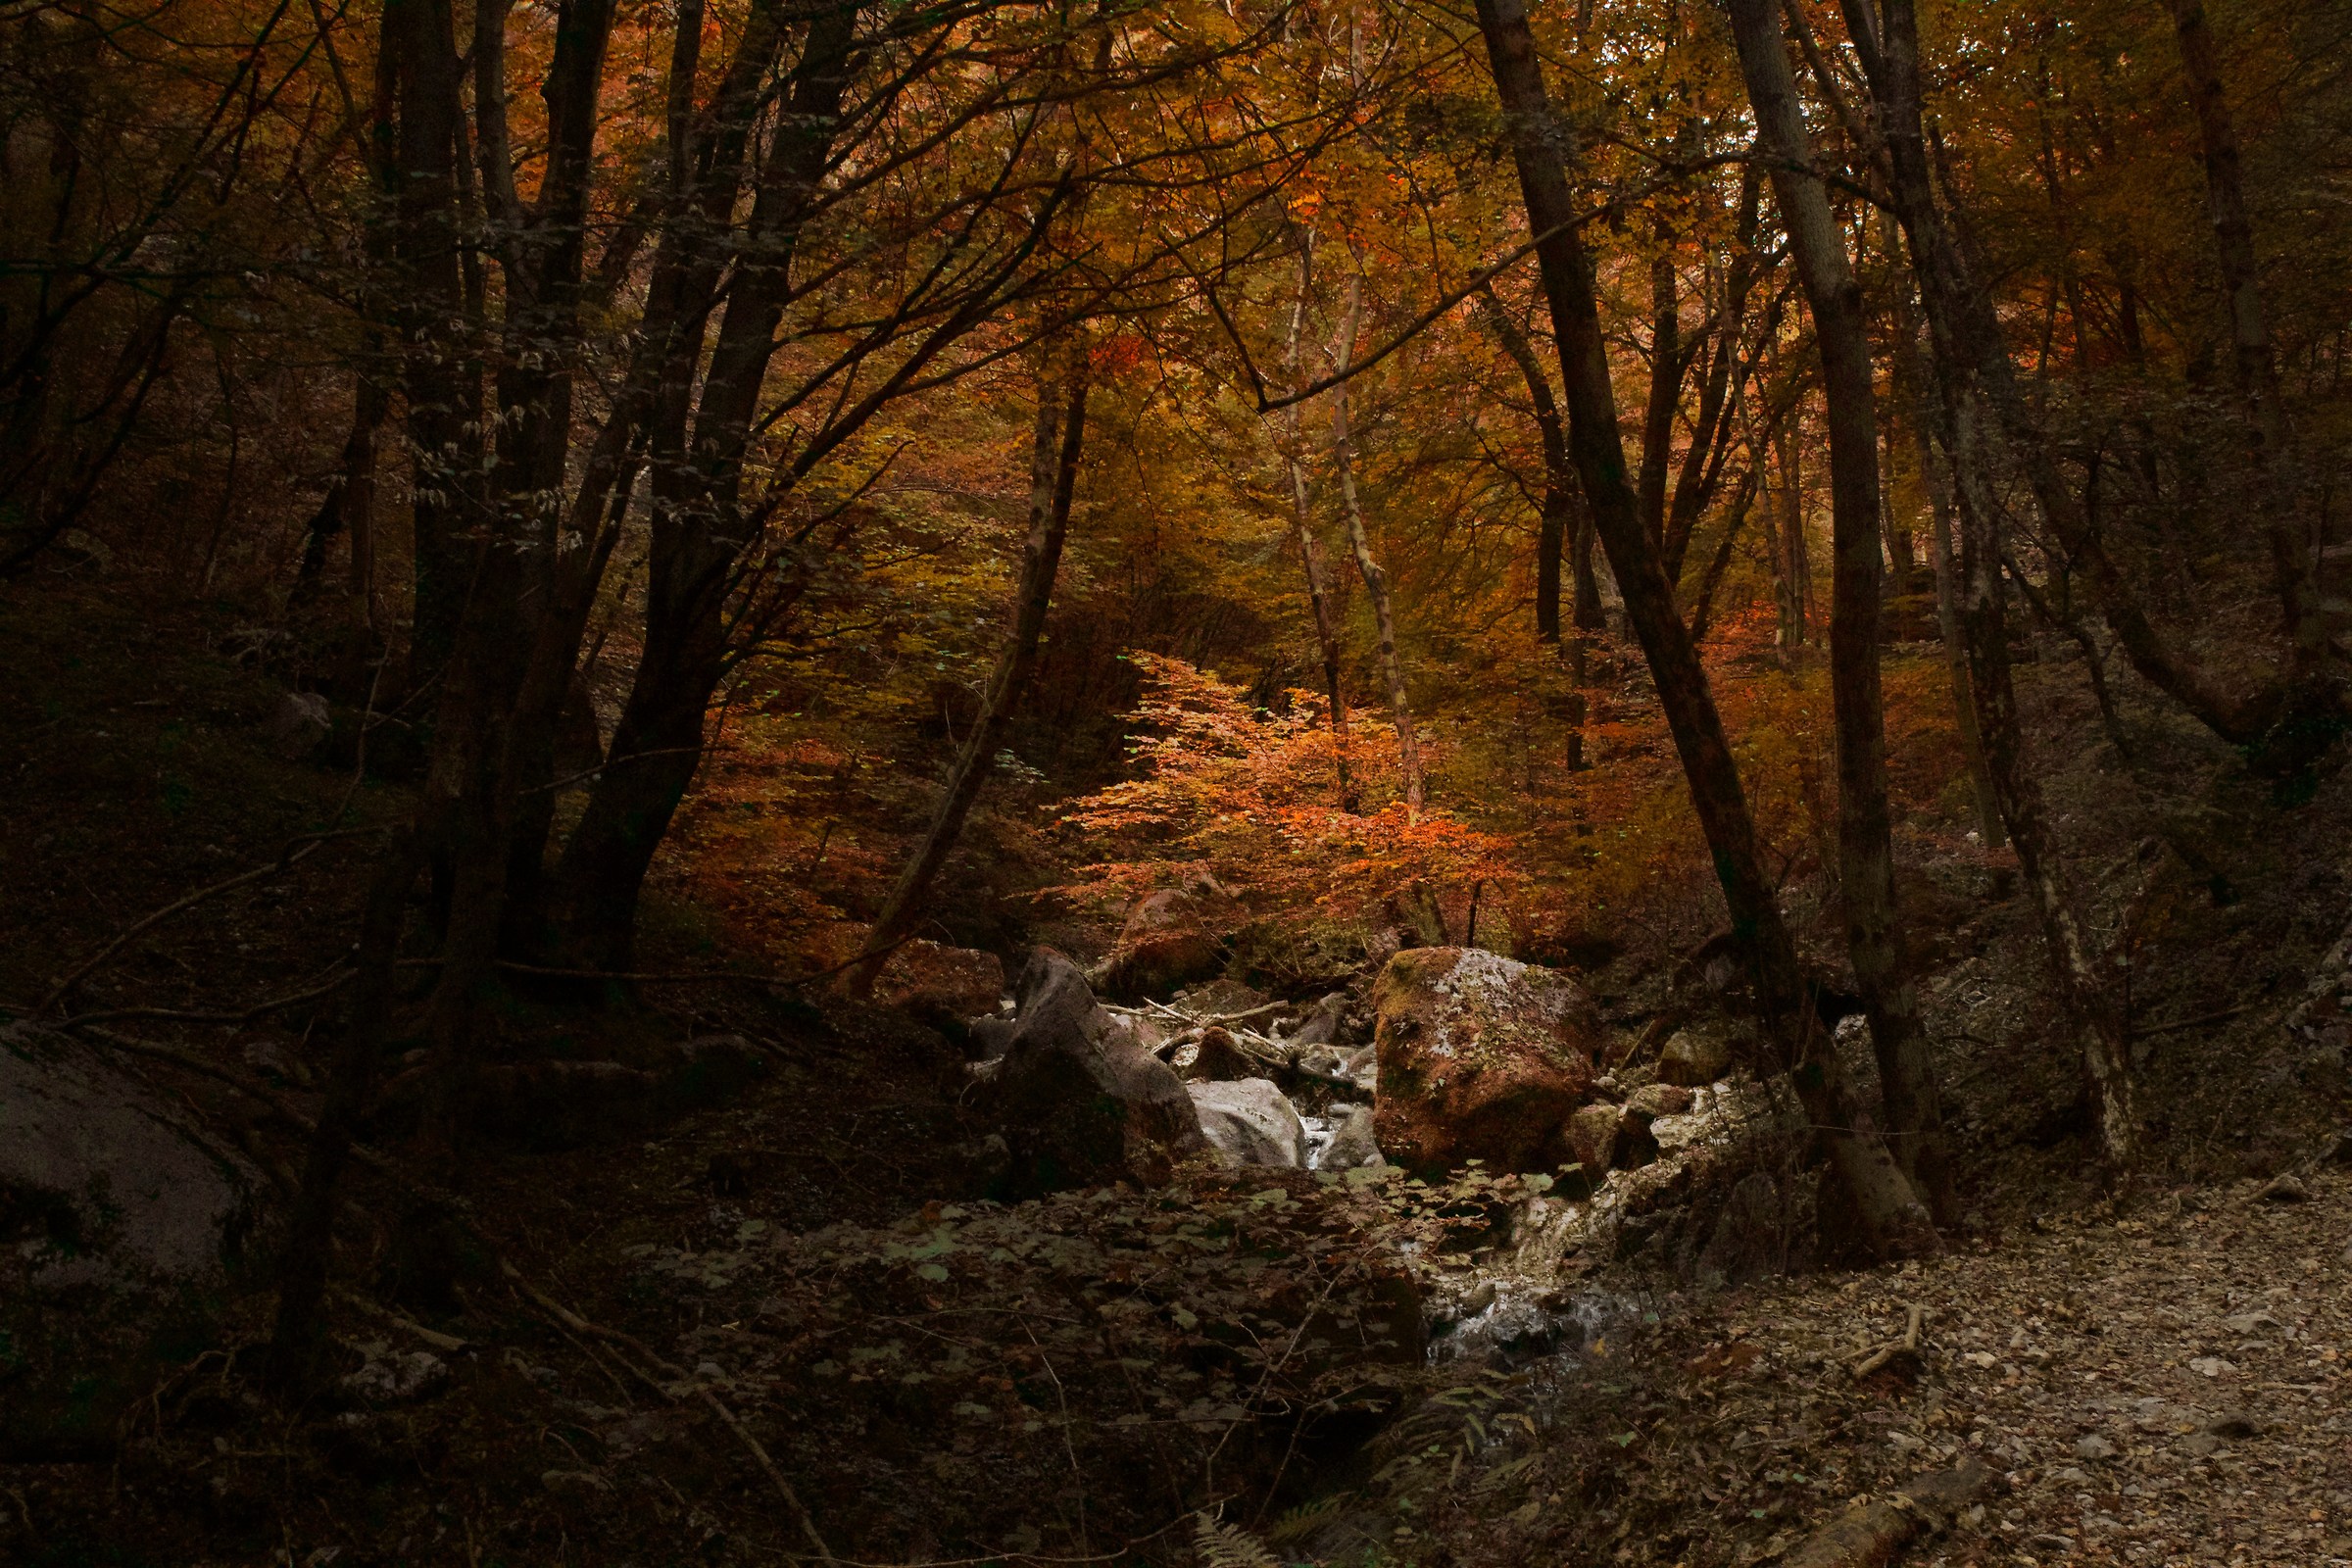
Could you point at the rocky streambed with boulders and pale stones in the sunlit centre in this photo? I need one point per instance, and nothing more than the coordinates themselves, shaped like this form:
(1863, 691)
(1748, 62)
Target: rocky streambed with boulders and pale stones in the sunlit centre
(1452, 1059)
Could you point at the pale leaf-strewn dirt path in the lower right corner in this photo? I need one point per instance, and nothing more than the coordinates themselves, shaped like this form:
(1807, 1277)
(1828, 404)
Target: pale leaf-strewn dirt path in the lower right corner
(2165, 1388)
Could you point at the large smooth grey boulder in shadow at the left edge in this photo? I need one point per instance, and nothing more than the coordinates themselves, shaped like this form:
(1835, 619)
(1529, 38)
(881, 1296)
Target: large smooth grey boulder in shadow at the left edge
(123, 1228)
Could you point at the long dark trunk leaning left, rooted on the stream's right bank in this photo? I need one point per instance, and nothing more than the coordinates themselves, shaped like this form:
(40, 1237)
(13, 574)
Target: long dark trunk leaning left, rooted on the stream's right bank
(1885, 1205)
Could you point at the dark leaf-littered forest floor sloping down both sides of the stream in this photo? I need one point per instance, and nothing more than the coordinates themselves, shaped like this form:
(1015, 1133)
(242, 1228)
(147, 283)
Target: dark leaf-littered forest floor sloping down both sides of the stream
(2149, 1379)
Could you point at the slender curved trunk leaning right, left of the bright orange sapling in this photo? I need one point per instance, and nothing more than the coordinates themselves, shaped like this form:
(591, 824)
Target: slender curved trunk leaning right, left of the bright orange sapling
(1053, 485)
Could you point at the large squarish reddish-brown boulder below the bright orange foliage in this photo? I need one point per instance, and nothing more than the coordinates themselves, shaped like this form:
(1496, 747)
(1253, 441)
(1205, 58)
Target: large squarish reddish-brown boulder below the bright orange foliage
(1481, 1059)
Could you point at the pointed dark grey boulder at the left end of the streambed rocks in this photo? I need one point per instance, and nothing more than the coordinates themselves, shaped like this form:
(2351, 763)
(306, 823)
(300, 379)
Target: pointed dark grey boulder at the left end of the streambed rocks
(1081, 1101)
